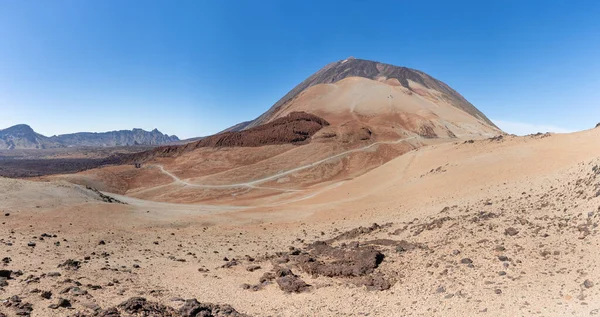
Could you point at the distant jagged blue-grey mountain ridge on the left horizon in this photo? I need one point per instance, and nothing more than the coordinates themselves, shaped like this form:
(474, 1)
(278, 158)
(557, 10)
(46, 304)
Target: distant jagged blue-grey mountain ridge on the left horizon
(22, 136)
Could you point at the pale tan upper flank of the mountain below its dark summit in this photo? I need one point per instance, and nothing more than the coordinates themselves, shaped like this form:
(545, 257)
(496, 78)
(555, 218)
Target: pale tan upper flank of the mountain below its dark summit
(383, 102)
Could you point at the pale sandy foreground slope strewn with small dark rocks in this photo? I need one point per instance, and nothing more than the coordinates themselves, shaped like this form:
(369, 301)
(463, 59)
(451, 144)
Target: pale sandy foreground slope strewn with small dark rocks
(543, 187)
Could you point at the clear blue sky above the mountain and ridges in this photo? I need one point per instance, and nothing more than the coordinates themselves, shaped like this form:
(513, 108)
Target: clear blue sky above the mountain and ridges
(192, 68)
